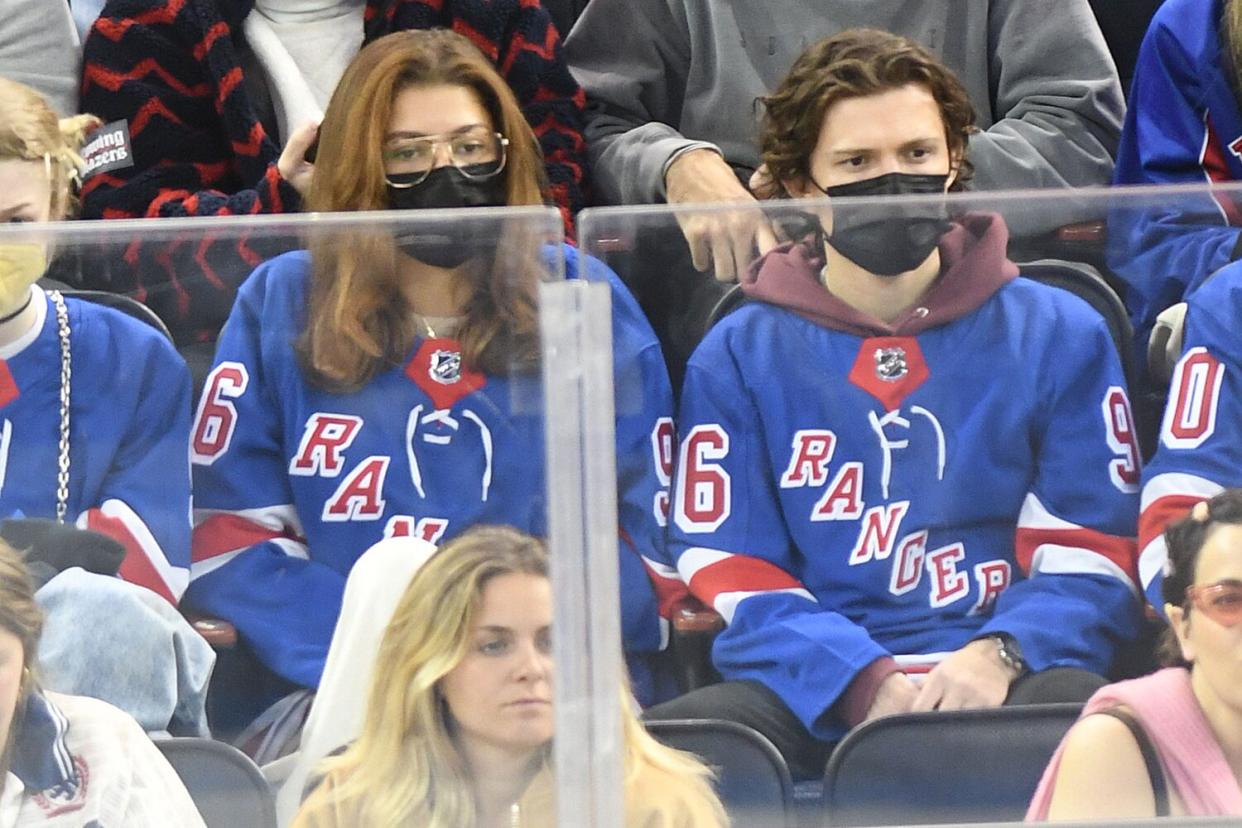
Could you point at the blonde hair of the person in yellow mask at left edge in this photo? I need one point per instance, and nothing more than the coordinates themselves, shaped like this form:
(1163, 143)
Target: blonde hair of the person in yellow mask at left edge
(32, 132)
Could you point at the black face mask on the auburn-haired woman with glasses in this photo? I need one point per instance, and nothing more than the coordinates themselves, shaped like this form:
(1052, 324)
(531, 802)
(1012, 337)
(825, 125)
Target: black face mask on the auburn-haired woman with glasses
(446, 244)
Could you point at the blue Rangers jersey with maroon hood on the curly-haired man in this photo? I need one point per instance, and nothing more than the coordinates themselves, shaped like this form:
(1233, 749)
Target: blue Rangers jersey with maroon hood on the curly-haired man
(849, 491)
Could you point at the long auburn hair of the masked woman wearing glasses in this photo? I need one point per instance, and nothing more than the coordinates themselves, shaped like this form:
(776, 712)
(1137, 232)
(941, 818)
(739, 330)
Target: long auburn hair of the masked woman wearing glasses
(358, 322)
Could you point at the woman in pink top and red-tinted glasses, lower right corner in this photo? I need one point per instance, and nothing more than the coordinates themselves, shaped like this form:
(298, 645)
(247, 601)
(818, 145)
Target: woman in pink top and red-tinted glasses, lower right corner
(1168, 744)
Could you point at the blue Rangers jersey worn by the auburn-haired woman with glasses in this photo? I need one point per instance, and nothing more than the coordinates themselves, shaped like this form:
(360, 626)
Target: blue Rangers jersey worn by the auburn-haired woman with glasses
(294, 484)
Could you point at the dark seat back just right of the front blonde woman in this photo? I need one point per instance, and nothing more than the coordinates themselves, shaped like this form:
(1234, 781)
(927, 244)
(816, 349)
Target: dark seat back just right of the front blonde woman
(751, 776)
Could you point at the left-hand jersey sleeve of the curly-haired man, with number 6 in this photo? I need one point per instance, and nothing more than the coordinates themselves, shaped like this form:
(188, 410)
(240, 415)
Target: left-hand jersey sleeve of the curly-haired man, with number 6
(733, 549)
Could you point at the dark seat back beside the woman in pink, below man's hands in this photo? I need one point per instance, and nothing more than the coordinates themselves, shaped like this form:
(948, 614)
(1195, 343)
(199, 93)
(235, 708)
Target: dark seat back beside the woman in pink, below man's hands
(943, 768)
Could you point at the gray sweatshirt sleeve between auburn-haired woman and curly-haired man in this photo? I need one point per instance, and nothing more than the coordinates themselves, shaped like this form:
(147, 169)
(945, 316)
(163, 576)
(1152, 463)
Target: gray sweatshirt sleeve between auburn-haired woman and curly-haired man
(632, 58)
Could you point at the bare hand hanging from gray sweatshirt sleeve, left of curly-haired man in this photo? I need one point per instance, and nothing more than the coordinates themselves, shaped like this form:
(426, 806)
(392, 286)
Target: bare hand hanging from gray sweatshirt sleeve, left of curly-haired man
(725, 241)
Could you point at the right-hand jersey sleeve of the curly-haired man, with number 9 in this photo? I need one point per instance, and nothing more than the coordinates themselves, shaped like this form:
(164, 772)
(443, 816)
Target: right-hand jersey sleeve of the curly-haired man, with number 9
(1077, 601)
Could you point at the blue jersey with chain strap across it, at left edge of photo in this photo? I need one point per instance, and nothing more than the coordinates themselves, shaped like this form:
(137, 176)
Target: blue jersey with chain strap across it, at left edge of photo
(130, 424)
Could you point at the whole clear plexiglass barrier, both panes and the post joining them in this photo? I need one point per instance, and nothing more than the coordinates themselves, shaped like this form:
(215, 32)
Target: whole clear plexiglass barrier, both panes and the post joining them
(430, 518)
